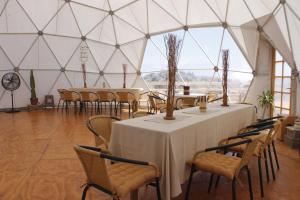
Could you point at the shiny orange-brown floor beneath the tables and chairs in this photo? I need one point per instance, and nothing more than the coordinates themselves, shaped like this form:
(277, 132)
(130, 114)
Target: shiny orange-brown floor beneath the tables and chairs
(38, 162)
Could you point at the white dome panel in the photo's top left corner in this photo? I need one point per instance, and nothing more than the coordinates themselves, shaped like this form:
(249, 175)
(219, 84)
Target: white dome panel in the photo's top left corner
(15, 20)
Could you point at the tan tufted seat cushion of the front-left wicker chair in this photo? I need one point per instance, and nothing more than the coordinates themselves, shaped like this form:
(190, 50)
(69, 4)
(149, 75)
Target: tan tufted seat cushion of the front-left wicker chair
(127, 177)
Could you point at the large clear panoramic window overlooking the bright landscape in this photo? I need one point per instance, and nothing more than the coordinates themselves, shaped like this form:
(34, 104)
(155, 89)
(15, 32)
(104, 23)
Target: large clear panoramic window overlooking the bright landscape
(200, 63)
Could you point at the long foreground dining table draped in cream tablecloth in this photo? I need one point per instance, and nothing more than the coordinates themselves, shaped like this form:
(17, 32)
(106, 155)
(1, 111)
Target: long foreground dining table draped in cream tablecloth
(171, 143)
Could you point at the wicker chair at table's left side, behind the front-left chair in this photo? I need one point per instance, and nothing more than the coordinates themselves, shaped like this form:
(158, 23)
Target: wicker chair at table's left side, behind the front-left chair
(100, 126)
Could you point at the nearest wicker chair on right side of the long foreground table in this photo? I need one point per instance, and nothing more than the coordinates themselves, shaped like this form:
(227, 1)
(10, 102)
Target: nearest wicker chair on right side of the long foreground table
(223, 165)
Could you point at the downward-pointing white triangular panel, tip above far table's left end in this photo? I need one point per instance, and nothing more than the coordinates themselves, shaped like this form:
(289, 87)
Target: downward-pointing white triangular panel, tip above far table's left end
(65, 53)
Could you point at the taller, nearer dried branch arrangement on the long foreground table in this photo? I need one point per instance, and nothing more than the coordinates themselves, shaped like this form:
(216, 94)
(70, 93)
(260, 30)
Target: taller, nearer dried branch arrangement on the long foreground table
(173, 45)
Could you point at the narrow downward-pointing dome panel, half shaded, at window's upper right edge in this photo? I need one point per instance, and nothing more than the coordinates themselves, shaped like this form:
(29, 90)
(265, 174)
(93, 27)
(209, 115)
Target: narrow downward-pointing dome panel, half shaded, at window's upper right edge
(248, 41)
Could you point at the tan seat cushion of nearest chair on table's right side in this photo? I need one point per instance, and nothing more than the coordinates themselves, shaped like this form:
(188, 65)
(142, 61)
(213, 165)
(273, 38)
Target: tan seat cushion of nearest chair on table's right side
(219, 164)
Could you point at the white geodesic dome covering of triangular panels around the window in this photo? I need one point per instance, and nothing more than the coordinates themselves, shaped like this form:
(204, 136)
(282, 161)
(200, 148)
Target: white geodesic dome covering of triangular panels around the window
(46, 35)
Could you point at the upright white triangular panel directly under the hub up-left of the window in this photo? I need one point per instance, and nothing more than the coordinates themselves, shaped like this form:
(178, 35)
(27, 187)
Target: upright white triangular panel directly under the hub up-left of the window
(104, 32)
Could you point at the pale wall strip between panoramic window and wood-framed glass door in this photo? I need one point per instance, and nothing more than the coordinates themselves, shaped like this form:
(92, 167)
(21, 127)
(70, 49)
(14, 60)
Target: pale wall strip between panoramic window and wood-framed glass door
(262, 80)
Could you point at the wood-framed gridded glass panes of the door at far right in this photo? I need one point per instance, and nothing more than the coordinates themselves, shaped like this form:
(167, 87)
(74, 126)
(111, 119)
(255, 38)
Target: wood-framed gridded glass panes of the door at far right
(281, 85)
